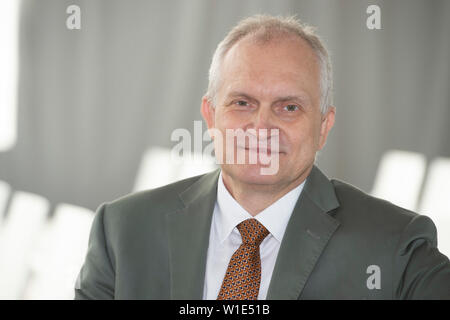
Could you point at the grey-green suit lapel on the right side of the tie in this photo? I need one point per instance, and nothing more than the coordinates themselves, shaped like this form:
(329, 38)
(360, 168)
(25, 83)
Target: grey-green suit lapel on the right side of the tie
(308, 232)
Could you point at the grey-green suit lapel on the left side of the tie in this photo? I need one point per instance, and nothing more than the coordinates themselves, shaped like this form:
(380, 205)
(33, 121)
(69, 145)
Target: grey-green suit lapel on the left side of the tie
(188, 231)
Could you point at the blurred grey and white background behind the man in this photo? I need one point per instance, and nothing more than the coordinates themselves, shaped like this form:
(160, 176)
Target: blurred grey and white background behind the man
(86, 115)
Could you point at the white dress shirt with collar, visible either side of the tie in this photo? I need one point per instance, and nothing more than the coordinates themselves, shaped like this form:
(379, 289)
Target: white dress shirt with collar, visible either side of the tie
(225, 239)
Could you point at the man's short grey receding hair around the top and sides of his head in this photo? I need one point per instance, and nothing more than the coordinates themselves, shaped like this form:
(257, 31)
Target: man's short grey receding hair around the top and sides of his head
(265, 28)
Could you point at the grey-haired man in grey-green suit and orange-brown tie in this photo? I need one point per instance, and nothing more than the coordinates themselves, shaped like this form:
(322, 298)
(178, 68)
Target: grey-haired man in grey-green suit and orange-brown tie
(238, 234)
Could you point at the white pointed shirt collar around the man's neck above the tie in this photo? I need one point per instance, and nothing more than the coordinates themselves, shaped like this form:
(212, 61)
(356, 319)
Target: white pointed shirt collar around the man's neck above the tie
(274, 218)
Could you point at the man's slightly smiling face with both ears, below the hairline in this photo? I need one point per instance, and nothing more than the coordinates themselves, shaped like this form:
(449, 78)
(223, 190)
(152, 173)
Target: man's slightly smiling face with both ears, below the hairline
(271, 86)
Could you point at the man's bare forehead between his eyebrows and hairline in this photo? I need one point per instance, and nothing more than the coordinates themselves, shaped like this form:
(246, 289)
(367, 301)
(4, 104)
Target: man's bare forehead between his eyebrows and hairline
(285, 66)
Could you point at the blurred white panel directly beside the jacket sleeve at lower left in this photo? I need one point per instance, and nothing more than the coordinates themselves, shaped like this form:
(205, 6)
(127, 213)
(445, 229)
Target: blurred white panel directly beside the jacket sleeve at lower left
(57, 261)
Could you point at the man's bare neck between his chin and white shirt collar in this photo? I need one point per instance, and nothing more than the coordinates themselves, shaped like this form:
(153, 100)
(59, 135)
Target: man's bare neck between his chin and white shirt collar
(256, 197)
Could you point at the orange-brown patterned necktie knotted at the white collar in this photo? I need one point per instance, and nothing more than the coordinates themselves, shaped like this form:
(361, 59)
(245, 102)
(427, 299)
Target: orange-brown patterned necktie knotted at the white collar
(243, 276)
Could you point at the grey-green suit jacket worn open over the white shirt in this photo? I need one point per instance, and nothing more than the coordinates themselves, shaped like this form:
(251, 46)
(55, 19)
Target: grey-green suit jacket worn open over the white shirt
(340, 243)
